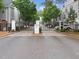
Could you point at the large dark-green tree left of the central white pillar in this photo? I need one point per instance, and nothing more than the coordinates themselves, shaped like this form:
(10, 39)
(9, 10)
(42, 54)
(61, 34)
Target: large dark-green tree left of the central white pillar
(27, 9)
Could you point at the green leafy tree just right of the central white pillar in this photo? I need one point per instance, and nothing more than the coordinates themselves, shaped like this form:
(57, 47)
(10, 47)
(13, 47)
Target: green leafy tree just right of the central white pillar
(50, 11)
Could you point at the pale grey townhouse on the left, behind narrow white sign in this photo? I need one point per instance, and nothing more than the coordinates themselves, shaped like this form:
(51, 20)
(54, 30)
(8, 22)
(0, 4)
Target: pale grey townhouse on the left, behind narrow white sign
(8, 14)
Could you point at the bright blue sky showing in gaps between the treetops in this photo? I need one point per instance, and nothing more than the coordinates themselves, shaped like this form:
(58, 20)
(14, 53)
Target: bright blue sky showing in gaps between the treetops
(40, 6)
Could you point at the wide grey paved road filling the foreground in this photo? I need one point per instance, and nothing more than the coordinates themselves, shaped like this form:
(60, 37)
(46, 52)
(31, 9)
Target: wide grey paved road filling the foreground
(51, 46)
